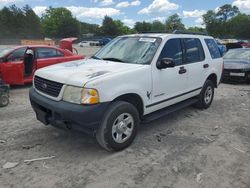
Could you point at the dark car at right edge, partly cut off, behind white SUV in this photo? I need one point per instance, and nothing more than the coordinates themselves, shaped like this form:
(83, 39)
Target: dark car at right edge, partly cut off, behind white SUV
(237, 65)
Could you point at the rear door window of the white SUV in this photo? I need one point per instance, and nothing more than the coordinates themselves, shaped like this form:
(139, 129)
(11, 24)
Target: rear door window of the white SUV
(193, 50)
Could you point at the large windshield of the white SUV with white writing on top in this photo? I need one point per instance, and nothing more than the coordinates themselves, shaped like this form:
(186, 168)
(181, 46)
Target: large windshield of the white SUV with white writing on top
(135, 50)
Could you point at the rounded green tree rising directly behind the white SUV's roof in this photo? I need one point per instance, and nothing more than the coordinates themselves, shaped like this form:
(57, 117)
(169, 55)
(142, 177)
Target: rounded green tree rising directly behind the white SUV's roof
(174, 23)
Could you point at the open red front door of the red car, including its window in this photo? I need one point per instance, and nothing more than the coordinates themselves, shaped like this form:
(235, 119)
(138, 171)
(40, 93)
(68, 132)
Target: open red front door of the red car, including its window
(13, 68)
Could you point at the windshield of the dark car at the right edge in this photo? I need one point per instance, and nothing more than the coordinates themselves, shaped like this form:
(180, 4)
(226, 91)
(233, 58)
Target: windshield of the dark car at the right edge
(240, 54)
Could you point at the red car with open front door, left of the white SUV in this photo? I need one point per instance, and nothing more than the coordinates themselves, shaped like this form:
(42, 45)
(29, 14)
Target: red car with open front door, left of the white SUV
(18, 64)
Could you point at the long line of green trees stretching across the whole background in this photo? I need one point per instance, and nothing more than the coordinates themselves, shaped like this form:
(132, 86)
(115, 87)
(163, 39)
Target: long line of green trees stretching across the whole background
(16, 22)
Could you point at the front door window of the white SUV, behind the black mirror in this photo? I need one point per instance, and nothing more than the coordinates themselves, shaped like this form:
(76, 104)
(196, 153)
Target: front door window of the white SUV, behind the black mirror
(172, 50)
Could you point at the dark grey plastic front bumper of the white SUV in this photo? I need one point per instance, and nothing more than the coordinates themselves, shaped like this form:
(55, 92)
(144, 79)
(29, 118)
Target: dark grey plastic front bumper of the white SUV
(63, 114)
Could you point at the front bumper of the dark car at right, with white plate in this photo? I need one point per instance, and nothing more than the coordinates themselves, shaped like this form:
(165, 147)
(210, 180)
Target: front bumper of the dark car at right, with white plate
(236, 75)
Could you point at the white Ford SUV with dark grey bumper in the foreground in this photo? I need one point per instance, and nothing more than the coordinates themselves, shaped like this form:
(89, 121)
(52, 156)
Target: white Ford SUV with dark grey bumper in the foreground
(133, 79)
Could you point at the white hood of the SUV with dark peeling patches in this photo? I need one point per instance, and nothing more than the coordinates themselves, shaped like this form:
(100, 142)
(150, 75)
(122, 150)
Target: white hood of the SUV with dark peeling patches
(78, 73)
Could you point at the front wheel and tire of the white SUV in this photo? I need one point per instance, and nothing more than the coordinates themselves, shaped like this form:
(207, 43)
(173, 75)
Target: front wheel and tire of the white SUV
(115, 134)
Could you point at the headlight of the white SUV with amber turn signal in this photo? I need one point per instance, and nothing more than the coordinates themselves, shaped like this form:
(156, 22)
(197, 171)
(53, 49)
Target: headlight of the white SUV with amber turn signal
(80, 95)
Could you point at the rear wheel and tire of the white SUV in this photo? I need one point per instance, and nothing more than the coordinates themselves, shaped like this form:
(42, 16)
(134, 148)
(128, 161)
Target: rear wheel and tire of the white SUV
(206, 96)
